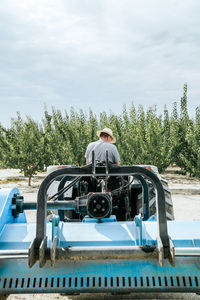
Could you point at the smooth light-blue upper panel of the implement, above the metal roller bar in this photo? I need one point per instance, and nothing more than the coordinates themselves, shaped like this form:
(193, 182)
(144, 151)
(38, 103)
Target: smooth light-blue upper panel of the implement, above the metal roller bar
(101, 234)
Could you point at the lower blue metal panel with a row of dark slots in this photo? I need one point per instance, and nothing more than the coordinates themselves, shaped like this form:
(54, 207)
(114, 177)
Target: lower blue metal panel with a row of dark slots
(100, 276)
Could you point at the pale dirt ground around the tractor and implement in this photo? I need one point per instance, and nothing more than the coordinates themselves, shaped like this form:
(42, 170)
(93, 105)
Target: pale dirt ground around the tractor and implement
(186, 200)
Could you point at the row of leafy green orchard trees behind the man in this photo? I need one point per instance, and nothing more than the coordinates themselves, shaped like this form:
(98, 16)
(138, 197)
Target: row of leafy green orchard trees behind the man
(142, 138)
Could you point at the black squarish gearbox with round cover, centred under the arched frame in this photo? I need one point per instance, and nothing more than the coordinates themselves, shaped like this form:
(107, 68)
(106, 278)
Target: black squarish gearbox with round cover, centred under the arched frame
(99, 205)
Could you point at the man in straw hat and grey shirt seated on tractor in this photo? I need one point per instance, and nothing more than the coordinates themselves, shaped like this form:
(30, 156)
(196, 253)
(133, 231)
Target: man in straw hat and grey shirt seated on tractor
(105, 143)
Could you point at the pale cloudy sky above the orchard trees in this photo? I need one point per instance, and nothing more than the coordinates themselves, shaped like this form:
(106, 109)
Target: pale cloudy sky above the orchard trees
(97, 54)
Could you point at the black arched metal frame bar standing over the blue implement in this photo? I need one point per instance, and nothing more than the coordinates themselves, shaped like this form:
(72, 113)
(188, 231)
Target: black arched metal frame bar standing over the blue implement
(101, 171)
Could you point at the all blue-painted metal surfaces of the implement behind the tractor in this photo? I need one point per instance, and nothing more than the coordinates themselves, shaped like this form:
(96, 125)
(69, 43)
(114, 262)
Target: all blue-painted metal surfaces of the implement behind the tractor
(96, 276)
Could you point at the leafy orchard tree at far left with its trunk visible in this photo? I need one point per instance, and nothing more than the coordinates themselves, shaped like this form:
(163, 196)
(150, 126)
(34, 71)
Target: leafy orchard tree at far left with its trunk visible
(24, 146)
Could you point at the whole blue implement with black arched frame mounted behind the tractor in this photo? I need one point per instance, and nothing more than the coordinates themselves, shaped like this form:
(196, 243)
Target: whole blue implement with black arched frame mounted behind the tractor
(100, 236)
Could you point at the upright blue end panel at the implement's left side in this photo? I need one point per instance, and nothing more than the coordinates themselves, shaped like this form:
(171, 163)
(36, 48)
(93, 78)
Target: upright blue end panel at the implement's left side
(6, 217)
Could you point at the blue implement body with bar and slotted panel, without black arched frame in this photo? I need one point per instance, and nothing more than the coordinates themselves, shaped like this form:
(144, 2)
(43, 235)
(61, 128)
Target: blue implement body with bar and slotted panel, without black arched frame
(96, 256)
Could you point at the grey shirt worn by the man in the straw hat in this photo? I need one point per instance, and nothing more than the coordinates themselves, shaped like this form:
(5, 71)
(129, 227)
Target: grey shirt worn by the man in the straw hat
(100, 148)
